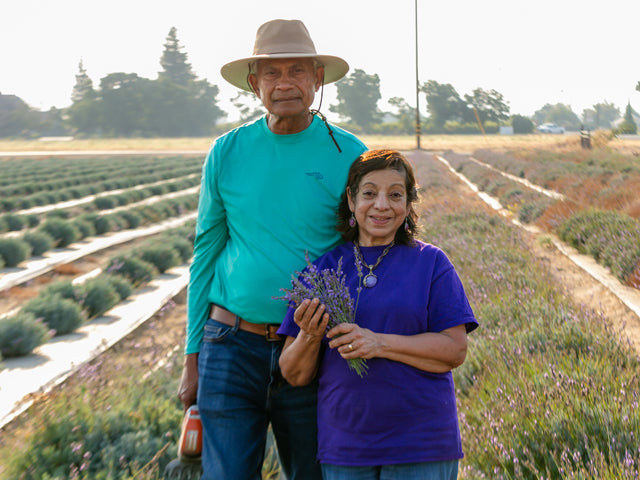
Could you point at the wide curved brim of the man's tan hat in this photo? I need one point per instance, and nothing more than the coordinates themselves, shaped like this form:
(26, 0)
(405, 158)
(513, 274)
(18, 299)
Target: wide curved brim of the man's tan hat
(236, 72)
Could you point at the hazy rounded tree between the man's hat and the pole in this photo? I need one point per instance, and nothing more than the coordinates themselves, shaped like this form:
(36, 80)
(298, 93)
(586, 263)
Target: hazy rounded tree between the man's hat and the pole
(358, 96)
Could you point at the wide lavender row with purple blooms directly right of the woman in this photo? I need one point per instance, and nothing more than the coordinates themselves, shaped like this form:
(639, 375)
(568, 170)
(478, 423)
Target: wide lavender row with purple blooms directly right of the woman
(549, 389)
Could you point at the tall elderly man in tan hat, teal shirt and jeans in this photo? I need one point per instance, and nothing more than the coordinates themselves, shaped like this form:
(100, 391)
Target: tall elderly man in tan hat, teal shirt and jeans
(269, 193)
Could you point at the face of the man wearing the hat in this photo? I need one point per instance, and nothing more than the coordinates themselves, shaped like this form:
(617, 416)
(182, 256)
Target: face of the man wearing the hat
(286, 86)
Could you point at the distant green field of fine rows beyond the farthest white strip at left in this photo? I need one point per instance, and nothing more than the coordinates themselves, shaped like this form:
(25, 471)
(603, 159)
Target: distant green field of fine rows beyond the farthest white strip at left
(28, 183)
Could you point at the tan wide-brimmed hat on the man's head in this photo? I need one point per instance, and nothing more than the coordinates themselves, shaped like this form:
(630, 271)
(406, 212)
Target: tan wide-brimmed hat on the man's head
(282, 39)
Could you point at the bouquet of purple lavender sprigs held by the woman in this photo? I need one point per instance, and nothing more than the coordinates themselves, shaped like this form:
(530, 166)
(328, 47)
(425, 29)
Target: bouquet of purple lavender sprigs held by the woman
(329, 287)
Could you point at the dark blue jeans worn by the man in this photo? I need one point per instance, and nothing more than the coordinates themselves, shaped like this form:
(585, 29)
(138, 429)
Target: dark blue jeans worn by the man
(241, 391)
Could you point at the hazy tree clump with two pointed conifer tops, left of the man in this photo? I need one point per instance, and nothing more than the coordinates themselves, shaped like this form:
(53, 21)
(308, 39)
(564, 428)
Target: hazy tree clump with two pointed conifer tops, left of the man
(176, 104)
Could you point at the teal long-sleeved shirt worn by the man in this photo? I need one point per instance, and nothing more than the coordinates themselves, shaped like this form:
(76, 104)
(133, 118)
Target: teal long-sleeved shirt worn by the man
(265, 200)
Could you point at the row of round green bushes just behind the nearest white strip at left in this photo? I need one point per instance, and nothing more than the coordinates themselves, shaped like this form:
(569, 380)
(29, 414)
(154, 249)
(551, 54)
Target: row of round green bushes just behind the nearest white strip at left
(63, 307)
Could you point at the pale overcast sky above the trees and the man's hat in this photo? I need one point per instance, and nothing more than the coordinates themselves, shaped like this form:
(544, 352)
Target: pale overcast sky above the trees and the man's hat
(533, 52)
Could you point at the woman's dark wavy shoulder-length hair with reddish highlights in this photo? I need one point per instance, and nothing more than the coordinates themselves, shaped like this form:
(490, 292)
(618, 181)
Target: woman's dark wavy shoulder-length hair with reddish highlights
(370, 162)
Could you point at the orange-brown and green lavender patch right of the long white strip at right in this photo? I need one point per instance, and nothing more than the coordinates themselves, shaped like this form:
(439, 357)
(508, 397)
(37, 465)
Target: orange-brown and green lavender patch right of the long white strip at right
(597, 215)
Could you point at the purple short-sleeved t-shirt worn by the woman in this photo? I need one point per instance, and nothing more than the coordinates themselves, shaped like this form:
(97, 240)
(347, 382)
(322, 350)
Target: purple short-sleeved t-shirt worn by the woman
(395, 413)
